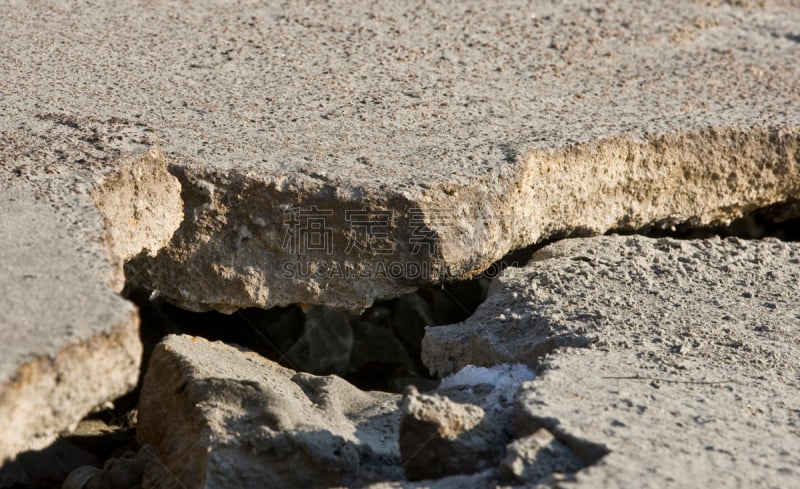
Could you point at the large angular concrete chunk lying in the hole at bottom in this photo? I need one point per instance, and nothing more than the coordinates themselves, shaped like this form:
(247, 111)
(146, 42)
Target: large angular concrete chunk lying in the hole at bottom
(223, 417)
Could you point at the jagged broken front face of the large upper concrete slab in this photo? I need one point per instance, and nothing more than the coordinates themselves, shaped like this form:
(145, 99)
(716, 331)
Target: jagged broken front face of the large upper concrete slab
(228, 254)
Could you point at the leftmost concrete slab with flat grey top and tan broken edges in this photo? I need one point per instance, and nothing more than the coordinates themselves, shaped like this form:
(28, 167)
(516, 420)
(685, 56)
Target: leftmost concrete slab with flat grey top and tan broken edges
(70, 343)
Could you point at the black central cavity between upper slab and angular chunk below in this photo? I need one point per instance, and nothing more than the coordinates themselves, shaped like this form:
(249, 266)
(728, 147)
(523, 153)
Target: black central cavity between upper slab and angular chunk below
(376, 350)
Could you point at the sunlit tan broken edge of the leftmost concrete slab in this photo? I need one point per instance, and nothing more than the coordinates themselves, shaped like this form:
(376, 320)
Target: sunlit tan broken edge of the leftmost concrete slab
(134, 200)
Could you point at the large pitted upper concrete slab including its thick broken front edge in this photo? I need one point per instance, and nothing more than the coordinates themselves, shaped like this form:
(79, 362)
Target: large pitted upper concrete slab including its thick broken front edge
(463, 129)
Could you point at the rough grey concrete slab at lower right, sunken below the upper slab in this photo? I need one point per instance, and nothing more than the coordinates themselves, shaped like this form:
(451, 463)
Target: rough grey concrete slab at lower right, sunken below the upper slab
(689, 372)
